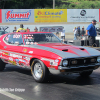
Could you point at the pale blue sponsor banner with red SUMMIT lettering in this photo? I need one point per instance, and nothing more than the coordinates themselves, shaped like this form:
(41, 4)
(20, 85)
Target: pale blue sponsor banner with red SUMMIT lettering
(17, 15)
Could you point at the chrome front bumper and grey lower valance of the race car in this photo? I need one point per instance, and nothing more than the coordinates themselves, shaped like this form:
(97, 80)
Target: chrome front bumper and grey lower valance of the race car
(74, 69)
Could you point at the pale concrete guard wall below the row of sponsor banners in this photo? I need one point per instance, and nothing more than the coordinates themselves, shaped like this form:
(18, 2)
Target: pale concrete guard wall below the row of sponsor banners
(68, 26)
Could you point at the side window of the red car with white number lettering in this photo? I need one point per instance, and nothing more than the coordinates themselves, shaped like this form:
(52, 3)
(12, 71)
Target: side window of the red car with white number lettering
(14, 39)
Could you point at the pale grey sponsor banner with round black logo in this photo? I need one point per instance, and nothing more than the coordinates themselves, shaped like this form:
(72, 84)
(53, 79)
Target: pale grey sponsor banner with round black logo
(82, 15)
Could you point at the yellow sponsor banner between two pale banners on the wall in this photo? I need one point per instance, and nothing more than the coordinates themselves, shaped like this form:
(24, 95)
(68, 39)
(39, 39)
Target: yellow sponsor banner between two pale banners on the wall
(50, 15)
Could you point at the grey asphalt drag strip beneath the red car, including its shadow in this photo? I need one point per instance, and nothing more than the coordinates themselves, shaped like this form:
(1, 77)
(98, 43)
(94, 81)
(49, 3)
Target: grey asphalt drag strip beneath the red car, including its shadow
(19, 84)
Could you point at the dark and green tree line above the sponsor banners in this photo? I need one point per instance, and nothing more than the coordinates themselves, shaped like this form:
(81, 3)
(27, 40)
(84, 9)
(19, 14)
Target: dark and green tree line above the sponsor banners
(48, 4)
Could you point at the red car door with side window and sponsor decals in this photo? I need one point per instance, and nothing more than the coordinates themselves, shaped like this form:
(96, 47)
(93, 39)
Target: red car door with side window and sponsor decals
(12, 50)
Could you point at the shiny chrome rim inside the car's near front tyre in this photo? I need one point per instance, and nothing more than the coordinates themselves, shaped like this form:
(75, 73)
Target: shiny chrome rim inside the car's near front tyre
(38, 72)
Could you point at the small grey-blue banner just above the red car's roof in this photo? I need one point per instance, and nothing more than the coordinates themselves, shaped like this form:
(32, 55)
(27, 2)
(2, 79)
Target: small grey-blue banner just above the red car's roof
(52, 29)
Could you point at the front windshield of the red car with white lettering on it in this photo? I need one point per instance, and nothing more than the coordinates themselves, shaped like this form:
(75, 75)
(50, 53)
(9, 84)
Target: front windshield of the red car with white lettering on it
(40, 38)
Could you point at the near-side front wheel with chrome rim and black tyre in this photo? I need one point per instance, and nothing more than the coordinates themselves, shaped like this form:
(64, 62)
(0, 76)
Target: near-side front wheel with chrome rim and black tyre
(39, 71)
